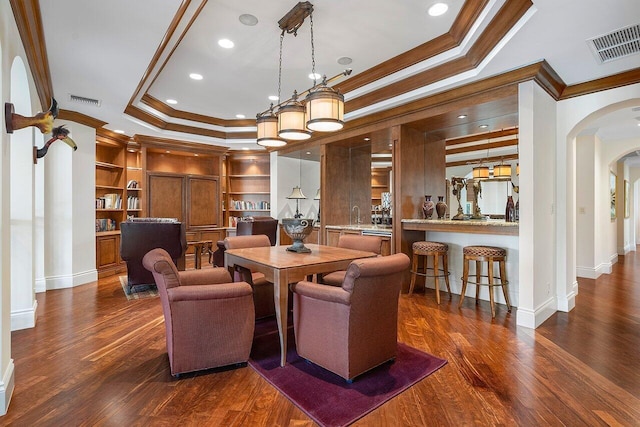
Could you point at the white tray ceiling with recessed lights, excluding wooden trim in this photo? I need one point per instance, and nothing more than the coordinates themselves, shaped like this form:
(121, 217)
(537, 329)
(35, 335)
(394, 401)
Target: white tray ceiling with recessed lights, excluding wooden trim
(104, 49)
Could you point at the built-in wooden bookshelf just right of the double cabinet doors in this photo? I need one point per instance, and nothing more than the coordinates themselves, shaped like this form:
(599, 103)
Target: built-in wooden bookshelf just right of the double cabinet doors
(248, 186)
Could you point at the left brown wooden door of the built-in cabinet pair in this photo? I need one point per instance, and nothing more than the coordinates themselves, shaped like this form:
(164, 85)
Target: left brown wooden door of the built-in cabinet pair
(165, 196)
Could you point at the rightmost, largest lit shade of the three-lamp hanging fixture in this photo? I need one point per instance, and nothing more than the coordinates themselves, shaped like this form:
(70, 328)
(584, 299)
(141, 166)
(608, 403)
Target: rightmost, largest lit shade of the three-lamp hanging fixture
(325, 109)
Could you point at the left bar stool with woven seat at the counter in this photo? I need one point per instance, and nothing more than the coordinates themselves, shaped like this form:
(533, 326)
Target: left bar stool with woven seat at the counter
(438, 251)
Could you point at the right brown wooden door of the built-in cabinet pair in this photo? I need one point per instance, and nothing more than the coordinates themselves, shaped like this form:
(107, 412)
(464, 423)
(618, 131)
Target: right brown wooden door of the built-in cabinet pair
(203, 201)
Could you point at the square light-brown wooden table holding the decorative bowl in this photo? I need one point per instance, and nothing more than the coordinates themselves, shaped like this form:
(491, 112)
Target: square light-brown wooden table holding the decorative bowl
(282, 267)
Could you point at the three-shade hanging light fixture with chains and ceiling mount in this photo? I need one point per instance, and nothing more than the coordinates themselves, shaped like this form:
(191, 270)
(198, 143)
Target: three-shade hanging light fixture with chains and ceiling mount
(323, 107)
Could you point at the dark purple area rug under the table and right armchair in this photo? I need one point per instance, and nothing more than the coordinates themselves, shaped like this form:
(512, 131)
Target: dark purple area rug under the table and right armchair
(325, 397)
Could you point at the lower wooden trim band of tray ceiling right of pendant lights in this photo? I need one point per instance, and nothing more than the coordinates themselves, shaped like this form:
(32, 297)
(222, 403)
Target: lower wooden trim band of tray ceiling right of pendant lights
(504, 20)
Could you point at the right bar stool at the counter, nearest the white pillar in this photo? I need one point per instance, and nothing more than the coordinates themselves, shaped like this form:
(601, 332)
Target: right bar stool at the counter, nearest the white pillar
(488, 254)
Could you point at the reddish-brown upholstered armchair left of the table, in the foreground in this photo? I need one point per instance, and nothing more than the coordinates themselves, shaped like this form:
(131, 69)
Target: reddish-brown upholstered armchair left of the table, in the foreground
(209, 320)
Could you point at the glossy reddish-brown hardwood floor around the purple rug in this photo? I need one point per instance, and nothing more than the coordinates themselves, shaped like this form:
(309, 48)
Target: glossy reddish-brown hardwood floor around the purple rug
(95, 358)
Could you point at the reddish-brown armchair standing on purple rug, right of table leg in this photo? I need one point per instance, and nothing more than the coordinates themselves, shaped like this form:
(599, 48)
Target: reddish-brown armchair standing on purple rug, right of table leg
(351, 329)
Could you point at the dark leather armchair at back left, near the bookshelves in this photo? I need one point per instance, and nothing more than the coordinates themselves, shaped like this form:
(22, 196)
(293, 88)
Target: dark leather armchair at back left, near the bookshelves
(140, 236)
